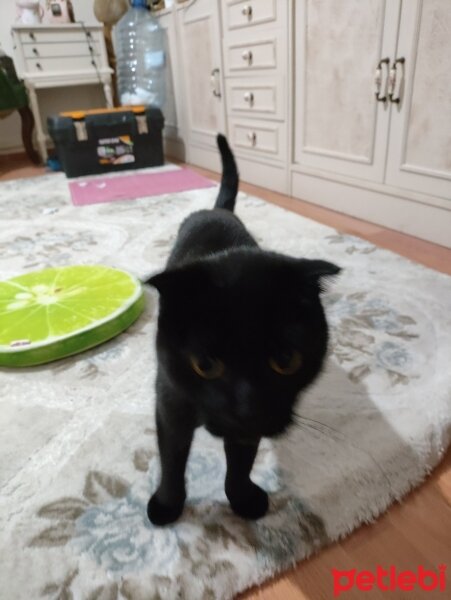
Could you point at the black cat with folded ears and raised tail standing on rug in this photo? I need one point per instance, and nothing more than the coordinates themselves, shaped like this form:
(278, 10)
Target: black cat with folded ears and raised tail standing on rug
(241, 331)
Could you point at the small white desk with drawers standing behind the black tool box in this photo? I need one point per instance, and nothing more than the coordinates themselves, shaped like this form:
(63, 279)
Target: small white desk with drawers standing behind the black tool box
(49, 56)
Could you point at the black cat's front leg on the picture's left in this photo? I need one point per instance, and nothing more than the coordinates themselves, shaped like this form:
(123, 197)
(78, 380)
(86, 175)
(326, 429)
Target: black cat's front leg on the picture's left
(175, 433)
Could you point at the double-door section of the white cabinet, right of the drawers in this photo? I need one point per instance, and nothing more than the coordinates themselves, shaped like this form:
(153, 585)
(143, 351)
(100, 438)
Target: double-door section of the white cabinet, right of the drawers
(372, 111)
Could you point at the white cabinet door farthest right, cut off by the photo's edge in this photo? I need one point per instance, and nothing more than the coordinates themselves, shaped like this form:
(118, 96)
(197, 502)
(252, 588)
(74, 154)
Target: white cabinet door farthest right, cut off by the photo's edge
(419, 156)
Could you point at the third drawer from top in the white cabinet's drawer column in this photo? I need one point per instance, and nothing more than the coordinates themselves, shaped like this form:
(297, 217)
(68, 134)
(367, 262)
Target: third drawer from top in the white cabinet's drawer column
(262, 97)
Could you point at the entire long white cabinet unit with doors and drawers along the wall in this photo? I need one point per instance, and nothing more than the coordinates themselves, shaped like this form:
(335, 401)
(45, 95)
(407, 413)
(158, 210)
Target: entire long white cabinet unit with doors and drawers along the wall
(344, 104)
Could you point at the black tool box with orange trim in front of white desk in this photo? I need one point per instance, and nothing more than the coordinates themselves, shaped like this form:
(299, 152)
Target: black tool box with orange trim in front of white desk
(108, 140)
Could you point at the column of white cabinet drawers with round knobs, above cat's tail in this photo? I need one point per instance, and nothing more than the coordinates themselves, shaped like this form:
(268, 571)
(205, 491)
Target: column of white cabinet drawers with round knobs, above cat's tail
(255, 49)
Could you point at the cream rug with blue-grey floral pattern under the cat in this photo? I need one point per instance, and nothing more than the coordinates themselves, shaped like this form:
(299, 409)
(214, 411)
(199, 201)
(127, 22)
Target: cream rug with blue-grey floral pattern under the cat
(77, 440)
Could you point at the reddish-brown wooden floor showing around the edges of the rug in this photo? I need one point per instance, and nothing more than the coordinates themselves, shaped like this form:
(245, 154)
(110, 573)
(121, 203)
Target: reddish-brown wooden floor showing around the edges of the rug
(415, 532)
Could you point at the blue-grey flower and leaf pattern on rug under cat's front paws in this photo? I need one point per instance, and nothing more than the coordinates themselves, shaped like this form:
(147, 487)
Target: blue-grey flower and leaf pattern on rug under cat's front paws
(108, 523)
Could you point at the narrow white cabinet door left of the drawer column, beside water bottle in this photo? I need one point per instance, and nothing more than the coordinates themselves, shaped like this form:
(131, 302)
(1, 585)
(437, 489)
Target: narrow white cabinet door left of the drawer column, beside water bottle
(201, 67)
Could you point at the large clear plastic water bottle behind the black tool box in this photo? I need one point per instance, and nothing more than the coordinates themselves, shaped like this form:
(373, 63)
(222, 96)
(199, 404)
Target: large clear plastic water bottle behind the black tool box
(140, 45)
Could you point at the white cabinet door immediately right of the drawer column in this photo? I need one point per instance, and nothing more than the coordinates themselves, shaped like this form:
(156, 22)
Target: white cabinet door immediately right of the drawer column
(340, 126)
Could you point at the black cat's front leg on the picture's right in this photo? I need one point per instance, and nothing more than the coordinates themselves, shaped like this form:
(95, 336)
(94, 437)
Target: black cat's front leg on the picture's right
(246, 498)
